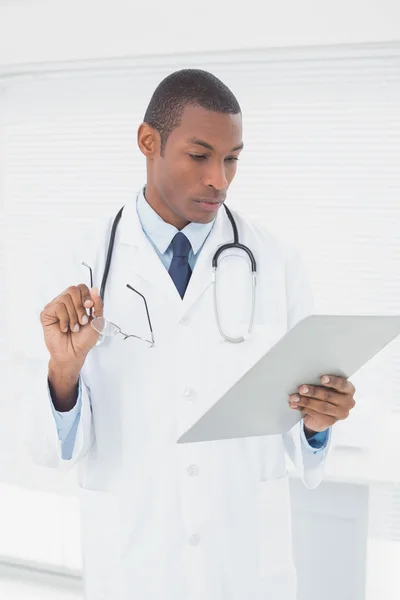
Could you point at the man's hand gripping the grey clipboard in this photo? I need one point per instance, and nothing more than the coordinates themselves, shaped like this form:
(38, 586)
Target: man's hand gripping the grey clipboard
(323, 405)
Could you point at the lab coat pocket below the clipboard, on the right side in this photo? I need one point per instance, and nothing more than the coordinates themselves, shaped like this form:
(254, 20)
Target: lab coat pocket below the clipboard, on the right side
(275, 546)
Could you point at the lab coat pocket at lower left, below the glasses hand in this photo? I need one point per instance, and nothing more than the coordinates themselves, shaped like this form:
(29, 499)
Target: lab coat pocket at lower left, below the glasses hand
(101, 545)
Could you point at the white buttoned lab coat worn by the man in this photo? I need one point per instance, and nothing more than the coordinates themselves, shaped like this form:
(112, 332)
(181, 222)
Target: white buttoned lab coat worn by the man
(161, 520)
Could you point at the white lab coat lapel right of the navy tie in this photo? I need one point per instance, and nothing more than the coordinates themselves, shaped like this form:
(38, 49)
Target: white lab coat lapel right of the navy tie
(202, 275)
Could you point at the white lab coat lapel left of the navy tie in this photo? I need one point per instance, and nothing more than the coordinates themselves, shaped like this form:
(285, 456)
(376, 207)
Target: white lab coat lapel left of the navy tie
(143, 259)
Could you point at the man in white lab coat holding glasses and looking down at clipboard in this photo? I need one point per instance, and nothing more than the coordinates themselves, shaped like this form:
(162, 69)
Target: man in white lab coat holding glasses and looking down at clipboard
(161, 520)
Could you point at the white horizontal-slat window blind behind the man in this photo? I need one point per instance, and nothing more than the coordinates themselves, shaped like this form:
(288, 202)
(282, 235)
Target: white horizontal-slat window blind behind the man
(320, 169)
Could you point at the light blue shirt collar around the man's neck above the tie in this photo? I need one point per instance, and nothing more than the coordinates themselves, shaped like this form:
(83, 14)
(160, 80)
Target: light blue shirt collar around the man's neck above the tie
(162, 233)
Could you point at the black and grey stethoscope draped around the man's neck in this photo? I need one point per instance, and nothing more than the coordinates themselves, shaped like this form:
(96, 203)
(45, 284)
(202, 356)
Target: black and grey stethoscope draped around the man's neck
(232, 245)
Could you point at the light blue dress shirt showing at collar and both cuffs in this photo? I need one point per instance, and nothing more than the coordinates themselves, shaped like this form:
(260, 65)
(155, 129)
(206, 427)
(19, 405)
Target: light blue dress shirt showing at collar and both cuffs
(160, 235)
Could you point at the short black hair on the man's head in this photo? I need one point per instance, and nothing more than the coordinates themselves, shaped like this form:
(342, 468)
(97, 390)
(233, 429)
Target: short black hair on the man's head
(187, 86)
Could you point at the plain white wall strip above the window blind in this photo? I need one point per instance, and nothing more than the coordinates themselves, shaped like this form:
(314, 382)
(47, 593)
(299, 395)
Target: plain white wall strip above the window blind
(56, 30)
